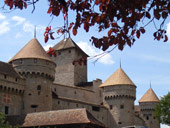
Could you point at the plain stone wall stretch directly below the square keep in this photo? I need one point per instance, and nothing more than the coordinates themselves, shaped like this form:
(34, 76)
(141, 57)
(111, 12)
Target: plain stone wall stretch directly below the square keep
(92, 95)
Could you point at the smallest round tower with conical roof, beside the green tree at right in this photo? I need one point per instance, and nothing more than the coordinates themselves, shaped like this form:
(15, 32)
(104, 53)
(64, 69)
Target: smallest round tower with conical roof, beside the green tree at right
(147, 105)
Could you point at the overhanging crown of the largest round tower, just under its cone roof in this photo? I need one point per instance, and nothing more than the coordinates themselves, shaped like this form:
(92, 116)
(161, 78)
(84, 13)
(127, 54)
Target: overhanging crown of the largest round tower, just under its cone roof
(30, 66)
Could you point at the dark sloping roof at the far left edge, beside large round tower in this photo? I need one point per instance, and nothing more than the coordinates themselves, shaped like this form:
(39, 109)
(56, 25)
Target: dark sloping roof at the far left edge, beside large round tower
(7, 69)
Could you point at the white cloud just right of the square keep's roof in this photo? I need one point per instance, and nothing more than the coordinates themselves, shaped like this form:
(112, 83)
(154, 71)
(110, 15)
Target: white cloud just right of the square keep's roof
(103, 58)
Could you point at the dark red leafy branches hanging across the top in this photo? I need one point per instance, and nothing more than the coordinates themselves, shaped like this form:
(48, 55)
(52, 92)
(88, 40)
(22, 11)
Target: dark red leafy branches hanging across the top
(122, 19)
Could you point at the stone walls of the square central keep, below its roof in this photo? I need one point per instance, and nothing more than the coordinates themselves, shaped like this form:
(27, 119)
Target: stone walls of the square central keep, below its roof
(66, 72)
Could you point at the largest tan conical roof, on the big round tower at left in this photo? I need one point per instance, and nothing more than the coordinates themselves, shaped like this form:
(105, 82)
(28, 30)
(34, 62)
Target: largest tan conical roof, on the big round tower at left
(32, 49)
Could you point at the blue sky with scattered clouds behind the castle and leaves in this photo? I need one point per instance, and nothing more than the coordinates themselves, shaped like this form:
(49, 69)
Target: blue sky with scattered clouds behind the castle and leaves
(147, 62)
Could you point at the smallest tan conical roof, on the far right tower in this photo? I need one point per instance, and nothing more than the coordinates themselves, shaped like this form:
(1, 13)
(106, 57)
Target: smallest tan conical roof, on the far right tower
(149, 96)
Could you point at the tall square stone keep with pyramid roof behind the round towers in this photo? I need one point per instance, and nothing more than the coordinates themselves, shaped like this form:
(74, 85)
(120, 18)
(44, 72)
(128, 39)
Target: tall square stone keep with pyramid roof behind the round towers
(68, 73)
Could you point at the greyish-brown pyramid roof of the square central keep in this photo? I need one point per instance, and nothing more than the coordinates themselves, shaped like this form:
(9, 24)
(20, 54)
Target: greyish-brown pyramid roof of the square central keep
(66, 44)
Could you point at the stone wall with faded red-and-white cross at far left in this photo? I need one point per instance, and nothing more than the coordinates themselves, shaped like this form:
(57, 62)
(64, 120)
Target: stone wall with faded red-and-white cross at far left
(11, 93)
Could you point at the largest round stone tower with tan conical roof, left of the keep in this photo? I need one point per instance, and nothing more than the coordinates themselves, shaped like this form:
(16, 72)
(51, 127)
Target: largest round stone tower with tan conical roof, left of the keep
(36, 67)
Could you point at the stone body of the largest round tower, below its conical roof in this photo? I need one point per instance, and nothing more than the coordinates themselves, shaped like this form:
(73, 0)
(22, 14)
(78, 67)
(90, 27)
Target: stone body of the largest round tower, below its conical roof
(39, 75)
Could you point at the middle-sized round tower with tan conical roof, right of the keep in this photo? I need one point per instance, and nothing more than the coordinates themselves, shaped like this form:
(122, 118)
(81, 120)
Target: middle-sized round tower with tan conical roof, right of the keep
(119, 94)
